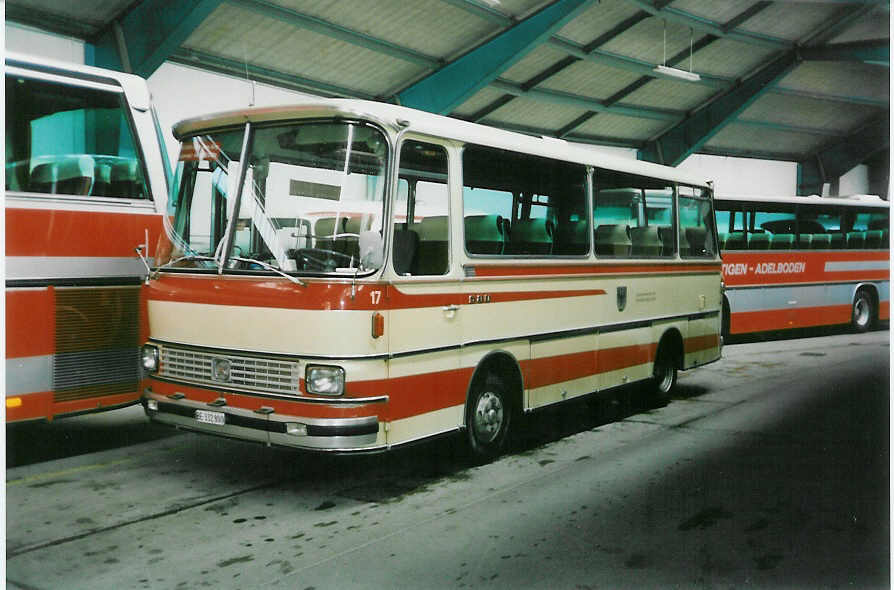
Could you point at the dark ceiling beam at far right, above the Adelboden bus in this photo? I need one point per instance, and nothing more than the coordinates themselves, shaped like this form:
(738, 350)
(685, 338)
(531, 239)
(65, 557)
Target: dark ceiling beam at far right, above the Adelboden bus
(838, 157)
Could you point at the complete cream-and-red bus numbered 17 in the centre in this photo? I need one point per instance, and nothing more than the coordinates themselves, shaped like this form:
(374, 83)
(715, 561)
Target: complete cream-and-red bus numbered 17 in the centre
(352, 276)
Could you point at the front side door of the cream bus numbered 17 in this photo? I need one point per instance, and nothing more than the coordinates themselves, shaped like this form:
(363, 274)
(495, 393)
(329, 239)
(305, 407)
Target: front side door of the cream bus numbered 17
(424, 327)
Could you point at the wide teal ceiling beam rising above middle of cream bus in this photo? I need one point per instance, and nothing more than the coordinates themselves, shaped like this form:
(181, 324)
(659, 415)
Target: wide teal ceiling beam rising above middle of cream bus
(444, 90)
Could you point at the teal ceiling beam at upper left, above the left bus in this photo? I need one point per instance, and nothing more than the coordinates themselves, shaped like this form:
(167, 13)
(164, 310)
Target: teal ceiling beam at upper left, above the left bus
(143, 37)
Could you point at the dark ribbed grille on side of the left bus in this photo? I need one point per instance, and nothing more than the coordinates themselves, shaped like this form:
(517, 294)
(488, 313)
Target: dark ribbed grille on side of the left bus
(97, 342)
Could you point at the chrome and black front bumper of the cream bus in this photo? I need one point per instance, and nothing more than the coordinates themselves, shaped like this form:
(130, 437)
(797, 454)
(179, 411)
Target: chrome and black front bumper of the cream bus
(263, 424)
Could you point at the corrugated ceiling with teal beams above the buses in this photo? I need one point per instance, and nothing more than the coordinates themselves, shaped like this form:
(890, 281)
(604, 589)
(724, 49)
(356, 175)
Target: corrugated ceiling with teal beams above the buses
(775, 79)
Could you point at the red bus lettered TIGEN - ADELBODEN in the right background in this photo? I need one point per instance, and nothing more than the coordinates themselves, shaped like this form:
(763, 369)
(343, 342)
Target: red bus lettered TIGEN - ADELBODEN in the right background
(799, 262)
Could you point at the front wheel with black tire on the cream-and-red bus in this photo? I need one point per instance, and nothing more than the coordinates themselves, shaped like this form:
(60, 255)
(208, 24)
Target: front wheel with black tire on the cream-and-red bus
(488, 415)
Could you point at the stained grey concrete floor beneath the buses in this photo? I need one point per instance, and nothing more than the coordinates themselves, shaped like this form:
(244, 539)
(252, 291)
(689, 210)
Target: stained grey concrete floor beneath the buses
(769, 469)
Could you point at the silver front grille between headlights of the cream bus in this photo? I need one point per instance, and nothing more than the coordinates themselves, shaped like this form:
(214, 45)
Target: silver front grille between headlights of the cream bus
(249, 373)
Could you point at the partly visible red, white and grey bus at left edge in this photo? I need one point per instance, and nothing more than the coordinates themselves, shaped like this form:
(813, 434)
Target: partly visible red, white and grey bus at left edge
(86, 183)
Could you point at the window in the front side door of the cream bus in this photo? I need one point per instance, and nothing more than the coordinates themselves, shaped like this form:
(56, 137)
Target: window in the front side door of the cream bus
(421, 230)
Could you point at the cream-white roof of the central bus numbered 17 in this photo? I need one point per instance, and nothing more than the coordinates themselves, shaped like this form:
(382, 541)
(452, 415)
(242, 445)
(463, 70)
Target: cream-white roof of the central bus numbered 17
(397, 117)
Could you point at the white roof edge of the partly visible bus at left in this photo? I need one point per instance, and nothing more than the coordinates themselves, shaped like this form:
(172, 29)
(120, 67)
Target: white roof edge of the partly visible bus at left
(134, 86)
